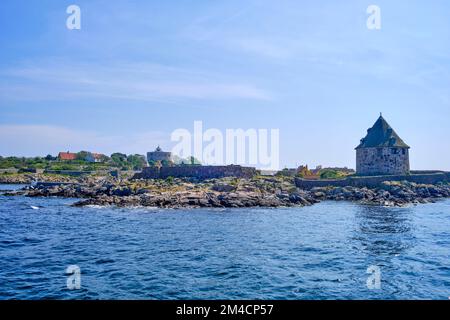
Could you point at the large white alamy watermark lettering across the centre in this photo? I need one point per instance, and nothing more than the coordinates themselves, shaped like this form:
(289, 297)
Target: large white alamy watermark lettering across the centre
(253, 147)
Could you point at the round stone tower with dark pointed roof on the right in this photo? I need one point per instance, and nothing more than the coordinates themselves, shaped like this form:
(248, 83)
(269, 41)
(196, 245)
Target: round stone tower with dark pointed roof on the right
(382, 152)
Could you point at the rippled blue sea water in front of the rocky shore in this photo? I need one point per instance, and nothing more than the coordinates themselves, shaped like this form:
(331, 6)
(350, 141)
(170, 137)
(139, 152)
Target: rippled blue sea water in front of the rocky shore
(317, 252)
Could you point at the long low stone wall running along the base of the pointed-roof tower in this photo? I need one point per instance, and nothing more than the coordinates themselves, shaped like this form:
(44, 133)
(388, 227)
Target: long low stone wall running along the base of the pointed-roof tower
(373, 181)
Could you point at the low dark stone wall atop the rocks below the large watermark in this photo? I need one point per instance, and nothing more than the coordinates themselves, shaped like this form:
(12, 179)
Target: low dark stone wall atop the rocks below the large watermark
(199, 172)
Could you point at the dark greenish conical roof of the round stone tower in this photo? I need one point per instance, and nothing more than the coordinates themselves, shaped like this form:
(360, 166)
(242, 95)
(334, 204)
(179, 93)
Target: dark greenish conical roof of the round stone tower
(381, 135)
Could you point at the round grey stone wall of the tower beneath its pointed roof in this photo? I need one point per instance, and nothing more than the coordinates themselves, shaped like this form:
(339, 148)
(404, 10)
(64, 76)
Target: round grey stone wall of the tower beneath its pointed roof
(378, 161)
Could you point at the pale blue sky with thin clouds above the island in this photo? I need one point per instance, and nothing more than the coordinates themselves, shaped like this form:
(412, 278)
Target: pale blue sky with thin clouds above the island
(138, 70)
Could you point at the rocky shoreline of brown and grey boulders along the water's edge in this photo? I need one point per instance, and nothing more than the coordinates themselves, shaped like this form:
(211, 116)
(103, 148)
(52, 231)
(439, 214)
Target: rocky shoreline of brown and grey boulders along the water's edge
(228, 193)
